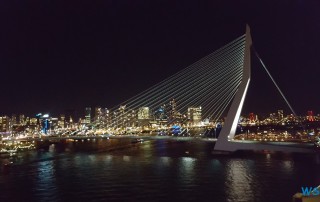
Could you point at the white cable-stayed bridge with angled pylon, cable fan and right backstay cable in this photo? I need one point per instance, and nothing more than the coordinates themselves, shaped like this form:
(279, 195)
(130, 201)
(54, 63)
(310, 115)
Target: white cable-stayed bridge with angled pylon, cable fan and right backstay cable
(204, 92)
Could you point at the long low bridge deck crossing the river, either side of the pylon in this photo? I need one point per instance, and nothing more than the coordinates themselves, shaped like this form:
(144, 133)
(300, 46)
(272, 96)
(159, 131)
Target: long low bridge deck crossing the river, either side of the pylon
(242, 144)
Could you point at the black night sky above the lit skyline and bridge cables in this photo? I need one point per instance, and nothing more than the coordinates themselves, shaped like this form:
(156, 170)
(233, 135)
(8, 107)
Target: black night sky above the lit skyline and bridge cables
(58, 55)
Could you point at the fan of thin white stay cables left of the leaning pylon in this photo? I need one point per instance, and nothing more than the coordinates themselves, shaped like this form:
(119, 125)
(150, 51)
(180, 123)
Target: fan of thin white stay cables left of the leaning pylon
(211, 83)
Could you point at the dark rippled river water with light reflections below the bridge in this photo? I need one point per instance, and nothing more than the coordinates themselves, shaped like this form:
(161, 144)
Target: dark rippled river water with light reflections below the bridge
(159, 170)
